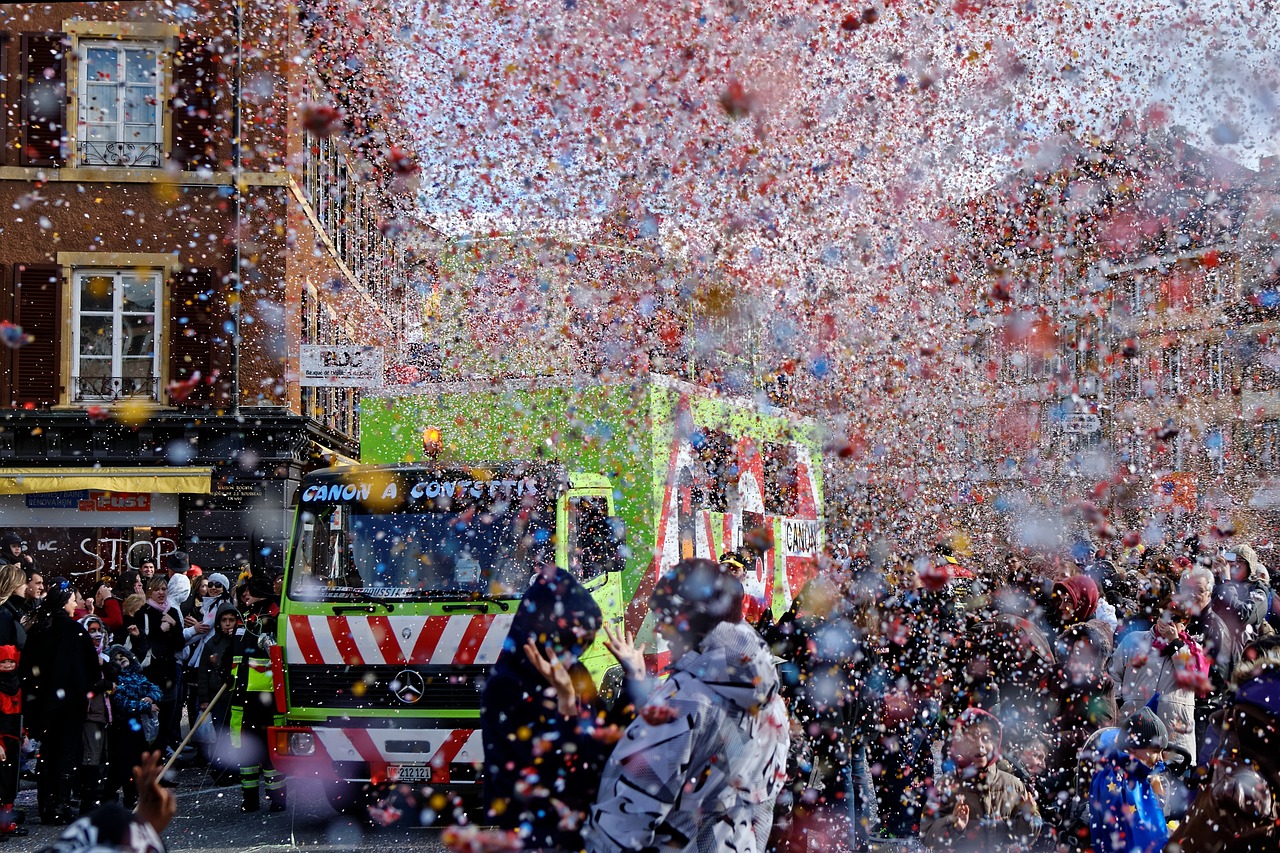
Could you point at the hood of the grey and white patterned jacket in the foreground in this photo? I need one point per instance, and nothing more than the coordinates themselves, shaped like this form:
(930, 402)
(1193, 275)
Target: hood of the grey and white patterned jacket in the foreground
(734, 664)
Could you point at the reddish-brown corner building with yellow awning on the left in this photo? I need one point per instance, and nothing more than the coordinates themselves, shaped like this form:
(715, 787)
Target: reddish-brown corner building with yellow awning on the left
(181, 223)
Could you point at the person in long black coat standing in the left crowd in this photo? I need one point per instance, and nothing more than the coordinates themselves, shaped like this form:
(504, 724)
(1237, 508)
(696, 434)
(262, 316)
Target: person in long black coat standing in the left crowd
(61, 668)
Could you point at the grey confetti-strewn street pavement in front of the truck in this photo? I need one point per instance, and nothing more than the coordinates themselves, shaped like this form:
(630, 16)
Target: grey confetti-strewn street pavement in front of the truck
(209, 819)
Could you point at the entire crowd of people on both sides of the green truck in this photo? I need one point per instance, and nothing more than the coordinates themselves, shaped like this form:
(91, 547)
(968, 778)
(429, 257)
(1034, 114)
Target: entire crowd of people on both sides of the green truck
(1109, 700)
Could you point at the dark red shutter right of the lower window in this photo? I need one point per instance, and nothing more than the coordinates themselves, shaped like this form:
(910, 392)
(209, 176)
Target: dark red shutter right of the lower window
(196, 340)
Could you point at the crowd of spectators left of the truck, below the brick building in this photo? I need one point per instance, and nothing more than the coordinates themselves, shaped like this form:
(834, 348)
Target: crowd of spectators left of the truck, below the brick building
(95, 674)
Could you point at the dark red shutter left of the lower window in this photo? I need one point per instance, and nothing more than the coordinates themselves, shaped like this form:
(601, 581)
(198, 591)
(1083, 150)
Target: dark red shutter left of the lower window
(38, 308)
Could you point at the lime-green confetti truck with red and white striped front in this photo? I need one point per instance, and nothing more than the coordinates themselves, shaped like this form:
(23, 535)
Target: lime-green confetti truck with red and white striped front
(405, 572)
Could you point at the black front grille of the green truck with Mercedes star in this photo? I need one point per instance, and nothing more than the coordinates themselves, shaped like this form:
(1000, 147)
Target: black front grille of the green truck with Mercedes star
(445, 688)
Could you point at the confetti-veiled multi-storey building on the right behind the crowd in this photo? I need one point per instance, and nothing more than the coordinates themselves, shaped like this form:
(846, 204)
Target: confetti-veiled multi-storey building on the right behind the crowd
(1117, 330)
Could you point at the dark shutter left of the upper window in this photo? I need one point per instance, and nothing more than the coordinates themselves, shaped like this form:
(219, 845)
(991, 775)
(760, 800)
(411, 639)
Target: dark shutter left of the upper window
(44, 99)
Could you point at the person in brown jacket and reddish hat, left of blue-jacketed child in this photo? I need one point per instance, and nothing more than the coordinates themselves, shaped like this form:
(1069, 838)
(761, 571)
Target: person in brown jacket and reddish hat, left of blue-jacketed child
(980, 805)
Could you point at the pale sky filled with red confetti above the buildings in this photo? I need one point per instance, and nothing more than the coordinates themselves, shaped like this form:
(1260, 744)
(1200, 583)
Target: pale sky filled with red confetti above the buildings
(804, 118)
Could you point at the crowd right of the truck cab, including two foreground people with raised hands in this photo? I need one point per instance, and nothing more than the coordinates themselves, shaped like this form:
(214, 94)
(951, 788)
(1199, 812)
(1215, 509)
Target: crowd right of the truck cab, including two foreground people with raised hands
(1118, 701)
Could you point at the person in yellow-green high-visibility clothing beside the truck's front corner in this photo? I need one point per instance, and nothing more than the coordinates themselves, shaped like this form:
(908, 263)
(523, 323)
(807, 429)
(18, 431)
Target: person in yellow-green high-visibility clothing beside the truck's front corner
(254, 697)
